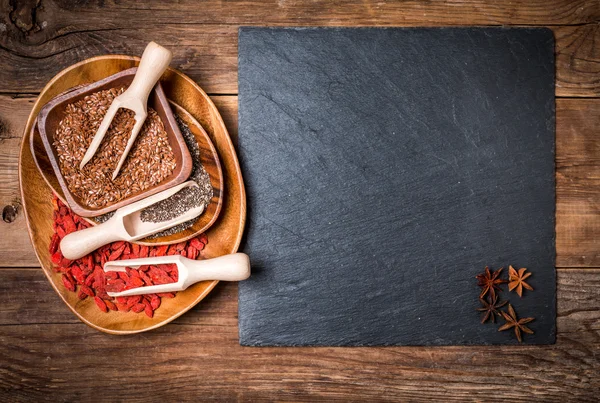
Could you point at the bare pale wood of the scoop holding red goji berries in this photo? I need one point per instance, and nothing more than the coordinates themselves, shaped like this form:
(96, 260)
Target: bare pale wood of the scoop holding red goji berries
(234, 267)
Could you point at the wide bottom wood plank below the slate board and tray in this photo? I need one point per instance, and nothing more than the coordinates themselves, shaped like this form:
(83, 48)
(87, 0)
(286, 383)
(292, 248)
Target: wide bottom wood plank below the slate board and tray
(41, 342)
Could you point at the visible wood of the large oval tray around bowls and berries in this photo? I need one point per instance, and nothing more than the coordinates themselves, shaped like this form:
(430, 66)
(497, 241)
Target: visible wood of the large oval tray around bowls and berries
(224, 235)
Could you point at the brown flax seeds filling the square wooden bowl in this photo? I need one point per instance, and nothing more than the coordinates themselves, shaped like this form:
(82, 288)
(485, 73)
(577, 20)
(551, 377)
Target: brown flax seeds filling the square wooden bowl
(150, 161)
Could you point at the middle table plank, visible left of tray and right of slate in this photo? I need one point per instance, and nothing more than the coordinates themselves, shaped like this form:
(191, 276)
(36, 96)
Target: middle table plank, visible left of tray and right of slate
(577, 179)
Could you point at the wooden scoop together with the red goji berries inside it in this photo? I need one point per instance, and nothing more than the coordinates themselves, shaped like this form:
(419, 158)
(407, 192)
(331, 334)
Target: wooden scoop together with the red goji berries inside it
(160, 274)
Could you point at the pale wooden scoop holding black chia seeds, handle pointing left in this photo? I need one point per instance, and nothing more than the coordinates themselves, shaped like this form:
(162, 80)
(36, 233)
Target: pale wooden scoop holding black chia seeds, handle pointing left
(127, 224)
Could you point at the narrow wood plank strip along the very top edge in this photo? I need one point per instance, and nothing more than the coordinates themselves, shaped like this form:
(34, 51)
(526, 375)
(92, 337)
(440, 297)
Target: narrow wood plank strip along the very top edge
(350, 12)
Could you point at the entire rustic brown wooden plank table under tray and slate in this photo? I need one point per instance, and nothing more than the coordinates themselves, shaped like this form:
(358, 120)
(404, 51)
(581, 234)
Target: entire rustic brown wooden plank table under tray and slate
(47, 354)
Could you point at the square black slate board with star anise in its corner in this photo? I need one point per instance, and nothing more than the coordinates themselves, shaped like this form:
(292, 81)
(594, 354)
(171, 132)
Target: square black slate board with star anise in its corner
(385, 168)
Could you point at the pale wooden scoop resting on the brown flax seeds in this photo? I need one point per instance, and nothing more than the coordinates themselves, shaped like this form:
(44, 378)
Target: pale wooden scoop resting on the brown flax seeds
(153, 64)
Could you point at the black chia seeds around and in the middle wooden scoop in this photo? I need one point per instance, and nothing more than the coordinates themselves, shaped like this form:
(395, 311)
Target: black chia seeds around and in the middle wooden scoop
(183, 200)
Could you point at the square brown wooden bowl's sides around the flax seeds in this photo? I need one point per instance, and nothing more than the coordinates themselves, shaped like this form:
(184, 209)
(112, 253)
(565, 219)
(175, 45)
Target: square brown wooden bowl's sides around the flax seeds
(54, 111)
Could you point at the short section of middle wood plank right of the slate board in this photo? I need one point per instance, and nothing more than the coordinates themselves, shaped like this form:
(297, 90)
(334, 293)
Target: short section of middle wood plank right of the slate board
(577, 183)
